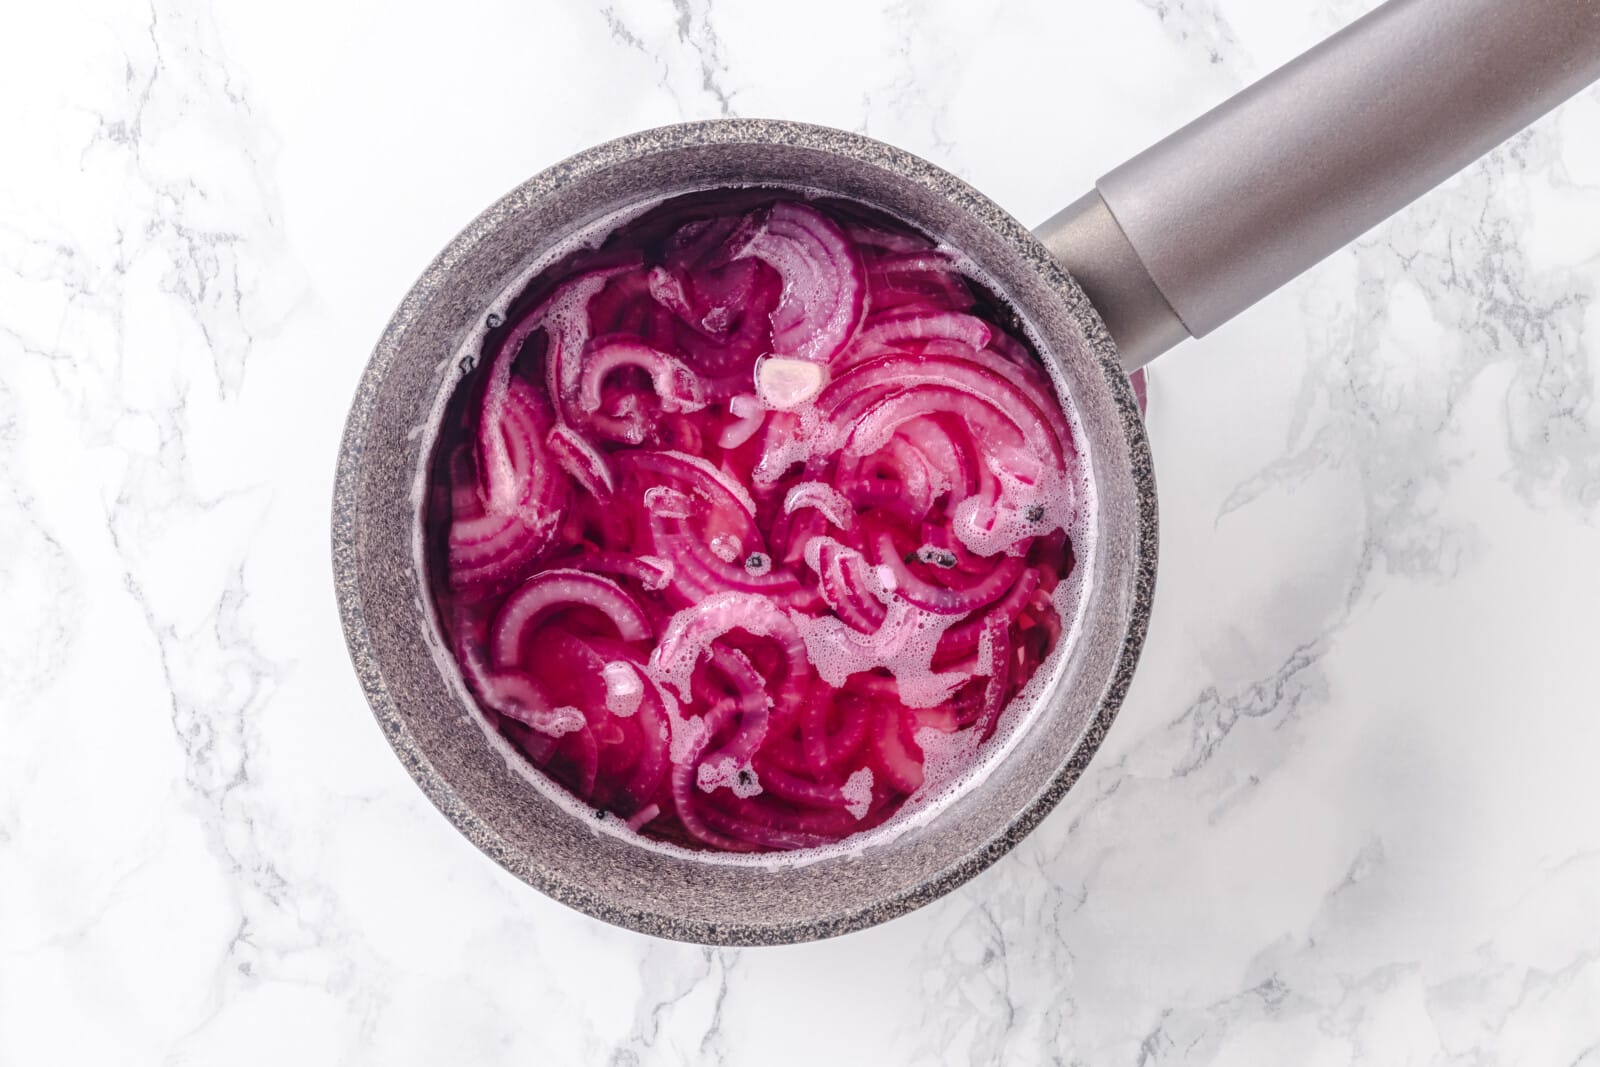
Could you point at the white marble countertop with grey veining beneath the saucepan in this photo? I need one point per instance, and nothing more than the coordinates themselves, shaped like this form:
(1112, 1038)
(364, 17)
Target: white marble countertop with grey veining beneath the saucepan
(1348, 815)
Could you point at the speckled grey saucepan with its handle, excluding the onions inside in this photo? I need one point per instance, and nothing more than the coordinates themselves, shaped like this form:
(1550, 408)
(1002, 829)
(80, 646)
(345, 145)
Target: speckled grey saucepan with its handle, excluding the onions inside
(1172, 244)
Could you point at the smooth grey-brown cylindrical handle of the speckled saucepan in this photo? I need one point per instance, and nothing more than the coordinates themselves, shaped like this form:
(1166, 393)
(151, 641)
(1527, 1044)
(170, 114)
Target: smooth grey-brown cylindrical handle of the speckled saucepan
(1196, 230)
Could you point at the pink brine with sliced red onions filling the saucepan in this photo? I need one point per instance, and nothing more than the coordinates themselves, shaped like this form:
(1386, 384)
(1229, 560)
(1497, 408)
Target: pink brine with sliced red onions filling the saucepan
(753, 521)
